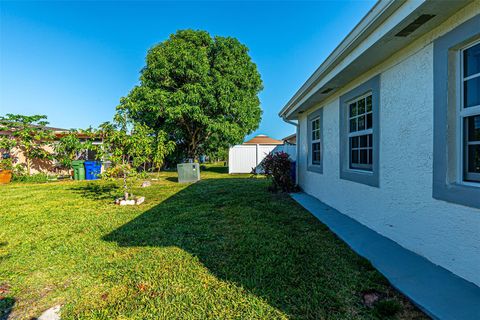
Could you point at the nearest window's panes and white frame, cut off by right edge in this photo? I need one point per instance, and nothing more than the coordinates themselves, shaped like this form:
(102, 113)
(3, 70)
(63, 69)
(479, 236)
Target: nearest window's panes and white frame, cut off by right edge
(470, 111)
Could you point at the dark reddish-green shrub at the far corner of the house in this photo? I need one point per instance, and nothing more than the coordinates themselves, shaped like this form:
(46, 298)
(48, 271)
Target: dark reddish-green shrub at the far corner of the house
(277, 167)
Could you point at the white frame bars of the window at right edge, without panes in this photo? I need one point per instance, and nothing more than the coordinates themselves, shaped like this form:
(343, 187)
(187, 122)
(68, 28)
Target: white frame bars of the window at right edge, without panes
(462, 114)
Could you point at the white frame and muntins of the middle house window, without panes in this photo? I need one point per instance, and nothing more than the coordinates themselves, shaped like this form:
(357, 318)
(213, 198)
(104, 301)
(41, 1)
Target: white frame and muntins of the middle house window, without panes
(365, 132)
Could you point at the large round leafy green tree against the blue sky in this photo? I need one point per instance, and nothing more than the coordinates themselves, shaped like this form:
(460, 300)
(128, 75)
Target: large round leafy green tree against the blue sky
(203, 91)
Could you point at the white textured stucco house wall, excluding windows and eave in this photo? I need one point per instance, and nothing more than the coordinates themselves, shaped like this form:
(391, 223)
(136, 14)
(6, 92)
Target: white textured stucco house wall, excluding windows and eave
(402, 207)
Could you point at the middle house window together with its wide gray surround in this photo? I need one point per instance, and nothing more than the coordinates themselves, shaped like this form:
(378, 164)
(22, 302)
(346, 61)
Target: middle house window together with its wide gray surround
(360, 133)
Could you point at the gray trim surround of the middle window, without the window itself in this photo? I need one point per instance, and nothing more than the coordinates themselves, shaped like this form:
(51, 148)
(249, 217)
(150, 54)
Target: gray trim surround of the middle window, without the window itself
(369, 178)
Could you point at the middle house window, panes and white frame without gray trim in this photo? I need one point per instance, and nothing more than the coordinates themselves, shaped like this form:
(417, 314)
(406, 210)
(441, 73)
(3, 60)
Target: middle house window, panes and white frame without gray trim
(360, 133)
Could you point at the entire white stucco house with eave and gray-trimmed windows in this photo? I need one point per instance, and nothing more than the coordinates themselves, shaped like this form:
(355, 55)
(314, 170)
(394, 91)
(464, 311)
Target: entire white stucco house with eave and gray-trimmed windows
(389, 129)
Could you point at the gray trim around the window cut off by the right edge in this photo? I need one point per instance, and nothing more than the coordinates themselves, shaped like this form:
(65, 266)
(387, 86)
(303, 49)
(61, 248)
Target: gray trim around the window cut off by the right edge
(445, 186)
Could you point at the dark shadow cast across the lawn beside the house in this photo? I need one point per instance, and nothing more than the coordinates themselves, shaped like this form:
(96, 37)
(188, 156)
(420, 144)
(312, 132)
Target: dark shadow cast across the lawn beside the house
(264, 242)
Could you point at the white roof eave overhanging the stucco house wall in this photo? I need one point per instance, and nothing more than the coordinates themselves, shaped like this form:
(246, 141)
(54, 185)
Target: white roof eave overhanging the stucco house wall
(365, 48)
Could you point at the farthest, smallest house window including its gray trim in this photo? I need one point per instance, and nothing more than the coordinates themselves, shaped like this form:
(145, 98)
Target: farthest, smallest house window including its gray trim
(315, 144)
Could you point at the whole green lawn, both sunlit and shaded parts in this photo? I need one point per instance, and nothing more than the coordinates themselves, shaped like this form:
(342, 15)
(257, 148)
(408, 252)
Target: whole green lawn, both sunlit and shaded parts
(222, 248)
